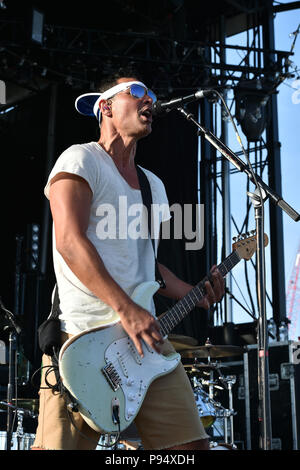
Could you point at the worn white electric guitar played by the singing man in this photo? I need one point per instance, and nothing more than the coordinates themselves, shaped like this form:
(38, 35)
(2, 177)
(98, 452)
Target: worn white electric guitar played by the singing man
(101, 368)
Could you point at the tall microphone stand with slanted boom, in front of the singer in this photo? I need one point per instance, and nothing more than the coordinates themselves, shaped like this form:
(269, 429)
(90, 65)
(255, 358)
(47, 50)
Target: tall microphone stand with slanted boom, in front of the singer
(258, 197)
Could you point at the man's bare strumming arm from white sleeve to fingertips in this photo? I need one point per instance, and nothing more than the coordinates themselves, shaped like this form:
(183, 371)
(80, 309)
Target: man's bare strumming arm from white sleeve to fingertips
(70, 202)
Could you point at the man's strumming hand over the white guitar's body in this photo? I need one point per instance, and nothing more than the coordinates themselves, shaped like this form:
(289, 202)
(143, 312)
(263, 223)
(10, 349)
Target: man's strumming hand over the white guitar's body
(140, 325)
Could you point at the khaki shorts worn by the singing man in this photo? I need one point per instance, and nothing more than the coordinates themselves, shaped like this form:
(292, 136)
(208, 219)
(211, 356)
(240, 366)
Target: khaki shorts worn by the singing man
(168, 415)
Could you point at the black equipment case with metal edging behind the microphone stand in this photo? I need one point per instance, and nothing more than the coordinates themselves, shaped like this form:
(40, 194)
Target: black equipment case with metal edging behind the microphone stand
(284, 383)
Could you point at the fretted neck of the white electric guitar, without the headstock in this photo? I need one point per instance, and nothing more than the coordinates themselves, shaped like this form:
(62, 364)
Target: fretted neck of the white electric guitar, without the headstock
(181, 309)
